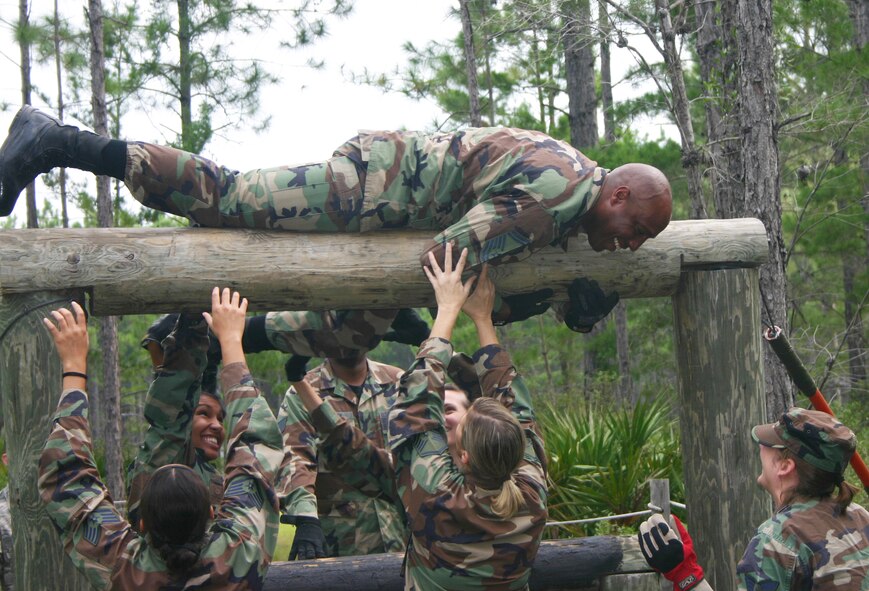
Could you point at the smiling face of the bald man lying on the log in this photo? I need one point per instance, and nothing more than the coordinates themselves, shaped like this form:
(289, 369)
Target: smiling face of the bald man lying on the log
(622, 221)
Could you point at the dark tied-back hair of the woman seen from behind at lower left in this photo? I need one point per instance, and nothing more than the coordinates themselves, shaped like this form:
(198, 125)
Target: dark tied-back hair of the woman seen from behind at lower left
(175, 510)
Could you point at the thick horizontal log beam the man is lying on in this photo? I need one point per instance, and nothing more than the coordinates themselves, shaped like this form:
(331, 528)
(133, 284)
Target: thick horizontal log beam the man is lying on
(149, 270)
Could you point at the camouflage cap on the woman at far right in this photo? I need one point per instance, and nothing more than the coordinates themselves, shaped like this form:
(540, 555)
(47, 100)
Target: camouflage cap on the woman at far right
(816, 437)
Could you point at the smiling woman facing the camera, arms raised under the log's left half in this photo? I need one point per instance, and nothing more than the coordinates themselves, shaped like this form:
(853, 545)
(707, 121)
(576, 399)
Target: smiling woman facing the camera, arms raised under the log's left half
(184, 412)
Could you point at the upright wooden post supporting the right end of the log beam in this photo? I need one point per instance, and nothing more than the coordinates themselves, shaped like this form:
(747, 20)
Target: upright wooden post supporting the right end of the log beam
(721, 389)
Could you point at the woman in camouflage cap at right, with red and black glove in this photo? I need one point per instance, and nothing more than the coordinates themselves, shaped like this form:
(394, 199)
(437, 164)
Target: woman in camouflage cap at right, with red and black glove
(818, 537)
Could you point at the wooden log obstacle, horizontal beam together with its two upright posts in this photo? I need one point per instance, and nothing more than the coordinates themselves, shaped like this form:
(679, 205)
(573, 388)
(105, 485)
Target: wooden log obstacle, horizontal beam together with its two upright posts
(709, 267)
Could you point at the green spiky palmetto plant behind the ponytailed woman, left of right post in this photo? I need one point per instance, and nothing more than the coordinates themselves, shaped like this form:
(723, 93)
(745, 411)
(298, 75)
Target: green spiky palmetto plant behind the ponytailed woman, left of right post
(601, 460)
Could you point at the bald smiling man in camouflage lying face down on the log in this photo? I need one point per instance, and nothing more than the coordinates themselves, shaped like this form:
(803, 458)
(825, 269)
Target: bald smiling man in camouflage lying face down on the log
(501, 193)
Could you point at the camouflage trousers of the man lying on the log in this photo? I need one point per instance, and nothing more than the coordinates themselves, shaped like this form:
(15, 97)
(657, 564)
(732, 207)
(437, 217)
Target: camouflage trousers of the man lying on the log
(317, 197)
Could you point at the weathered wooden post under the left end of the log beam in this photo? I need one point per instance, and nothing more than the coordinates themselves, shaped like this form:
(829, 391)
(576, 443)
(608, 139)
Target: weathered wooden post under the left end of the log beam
(30, 385)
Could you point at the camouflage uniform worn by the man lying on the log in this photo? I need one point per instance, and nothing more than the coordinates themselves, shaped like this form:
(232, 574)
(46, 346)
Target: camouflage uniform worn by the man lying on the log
(502, 193)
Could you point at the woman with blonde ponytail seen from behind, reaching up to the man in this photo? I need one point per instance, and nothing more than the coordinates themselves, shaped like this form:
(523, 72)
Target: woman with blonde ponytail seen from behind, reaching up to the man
(476, 515)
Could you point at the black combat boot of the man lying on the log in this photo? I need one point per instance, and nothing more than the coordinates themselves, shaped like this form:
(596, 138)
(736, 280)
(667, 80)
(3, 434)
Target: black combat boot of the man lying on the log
(38, 142)
